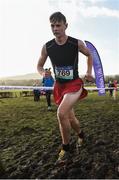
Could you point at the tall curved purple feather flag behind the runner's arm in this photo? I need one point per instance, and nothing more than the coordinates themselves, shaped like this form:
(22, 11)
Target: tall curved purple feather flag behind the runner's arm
(98, 69)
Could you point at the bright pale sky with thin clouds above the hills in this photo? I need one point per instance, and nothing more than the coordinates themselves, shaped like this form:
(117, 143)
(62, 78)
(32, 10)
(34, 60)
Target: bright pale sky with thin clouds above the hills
(25, 27)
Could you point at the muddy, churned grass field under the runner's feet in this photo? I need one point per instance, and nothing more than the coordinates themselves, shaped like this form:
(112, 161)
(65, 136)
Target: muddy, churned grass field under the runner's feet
(30, 139)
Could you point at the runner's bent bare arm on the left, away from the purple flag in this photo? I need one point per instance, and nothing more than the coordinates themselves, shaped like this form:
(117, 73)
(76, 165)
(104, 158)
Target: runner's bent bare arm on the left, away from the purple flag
(42, 60)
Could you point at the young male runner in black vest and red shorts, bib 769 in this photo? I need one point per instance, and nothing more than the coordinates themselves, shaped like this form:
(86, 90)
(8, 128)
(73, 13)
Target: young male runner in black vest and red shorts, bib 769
(68, 89)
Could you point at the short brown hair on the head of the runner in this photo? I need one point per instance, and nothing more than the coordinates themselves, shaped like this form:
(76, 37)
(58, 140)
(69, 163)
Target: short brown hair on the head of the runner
(57, 16)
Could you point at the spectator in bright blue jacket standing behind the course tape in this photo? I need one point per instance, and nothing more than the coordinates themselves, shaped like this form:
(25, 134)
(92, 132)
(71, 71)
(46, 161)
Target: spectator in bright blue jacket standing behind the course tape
(48, 81)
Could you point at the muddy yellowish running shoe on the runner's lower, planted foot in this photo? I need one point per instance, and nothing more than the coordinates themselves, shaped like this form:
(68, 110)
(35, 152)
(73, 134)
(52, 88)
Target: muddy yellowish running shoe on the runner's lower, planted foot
(63, 157)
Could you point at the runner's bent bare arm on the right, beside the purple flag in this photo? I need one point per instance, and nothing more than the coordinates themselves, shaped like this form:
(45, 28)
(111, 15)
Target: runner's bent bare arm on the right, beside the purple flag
(84, 50)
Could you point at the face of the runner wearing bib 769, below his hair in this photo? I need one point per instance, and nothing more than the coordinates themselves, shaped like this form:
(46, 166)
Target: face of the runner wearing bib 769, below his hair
(58, 28)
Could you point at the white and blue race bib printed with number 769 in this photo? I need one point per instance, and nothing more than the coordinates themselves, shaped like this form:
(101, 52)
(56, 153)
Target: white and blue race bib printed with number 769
(65, 72)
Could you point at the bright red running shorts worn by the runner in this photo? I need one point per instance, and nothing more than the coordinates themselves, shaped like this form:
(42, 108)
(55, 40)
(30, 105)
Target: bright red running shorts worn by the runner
(60, 89)
